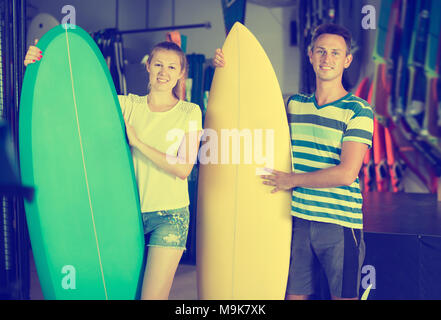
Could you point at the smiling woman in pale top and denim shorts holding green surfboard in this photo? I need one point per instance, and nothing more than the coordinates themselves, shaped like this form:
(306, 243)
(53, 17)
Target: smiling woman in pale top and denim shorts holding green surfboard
(161, 165)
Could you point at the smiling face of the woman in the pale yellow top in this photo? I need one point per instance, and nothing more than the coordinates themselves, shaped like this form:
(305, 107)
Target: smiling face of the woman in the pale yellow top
(164, 70)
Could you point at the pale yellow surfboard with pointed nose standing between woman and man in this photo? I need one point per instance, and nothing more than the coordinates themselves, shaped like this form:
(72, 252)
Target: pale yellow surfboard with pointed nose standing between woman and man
(243, 230)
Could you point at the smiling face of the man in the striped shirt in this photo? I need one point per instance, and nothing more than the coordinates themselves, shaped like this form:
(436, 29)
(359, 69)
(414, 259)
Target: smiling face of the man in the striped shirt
(328, 57)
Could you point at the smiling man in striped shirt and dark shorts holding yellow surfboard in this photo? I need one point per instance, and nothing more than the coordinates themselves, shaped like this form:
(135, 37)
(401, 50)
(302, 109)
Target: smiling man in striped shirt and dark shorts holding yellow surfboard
(330, 133)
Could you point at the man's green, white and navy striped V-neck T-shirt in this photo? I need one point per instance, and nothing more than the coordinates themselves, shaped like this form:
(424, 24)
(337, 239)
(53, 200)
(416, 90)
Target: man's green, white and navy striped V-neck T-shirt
(317, 134)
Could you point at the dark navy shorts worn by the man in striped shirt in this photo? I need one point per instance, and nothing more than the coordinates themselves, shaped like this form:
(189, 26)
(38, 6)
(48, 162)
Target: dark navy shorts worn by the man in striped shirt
(337, 250)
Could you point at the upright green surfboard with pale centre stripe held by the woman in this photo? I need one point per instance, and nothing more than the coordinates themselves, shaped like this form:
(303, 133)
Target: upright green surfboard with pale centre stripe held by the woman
(84, 223)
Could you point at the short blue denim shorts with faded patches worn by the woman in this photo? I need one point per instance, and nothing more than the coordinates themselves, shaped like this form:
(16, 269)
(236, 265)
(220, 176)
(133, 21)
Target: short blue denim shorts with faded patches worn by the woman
(166, 228)
